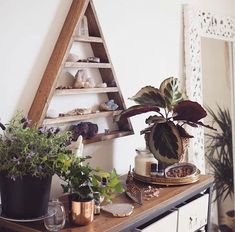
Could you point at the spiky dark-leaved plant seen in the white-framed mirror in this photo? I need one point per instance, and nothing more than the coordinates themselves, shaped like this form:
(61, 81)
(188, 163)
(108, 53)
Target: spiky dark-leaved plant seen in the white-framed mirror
(219, 153)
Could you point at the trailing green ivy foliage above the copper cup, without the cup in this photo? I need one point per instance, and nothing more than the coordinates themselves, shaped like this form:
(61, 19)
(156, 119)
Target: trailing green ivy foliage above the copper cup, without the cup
(81, 181)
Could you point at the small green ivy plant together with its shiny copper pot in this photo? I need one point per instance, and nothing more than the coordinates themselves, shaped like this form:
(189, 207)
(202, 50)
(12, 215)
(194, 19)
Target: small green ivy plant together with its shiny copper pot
(82, 183)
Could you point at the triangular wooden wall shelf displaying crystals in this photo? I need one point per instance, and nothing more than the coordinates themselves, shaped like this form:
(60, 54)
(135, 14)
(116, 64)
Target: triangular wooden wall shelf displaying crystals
(57, 63)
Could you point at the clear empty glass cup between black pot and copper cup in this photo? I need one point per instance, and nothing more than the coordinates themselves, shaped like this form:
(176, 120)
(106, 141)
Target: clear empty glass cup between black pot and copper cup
(56, 221)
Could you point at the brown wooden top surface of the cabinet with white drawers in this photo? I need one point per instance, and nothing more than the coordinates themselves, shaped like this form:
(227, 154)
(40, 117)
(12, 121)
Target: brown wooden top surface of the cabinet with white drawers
(167, 197)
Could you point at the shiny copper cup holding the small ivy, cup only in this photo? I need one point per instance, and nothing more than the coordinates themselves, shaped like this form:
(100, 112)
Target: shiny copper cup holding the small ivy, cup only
(82, 213)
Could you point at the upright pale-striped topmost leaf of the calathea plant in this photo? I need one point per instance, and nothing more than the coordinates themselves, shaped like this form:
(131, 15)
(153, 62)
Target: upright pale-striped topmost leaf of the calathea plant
(170, 89)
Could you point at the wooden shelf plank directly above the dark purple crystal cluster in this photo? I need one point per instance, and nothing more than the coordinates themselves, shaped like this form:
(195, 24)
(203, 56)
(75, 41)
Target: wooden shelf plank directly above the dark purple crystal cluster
(66, 119)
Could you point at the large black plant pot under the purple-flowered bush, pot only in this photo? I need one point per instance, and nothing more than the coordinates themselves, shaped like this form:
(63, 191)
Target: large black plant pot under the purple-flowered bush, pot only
(26, 197)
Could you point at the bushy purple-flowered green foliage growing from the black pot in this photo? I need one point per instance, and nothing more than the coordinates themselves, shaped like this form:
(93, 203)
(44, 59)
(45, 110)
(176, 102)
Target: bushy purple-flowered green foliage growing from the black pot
(28, 150)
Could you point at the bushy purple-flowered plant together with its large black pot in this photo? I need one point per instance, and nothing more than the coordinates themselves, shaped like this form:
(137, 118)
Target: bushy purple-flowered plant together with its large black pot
(29, 156)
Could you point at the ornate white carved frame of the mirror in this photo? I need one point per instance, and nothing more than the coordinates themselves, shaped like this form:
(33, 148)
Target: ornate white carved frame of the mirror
(198, 24)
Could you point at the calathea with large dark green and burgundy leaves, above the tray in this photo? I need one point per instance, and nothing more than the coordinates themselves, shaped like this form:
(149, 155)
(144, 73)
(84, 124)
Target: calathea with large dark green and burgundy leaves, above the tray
(165, 132)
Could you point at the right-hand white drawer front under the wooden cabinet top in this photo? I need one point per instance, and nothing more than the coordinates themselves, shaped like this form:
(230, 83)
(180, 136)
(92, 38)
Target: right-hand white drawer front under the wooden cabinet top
(193, 215)
